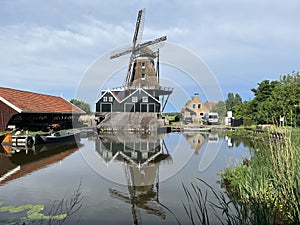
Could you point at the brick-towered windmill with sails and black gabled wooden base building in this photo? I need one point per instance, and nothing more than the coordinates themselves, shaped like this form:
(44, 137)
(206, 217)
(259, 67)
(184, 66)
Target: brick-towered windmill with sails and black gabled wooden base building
(141, 91)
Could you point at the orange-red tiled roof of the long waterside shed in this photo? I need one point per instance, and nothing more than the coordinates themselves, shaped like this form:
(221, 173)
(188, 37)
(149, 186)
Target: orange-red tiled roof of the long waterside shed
(25, 101)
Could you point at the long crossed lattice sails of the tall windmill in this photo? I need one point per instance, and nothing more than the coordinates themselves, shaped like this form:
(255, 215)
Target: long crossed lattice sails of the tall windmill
(138, 48)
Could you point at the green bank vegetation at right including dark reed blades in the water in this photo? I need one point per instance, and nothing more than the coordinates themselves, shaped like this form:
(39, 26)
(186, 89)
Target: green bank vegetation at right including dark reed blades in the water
(264, 189)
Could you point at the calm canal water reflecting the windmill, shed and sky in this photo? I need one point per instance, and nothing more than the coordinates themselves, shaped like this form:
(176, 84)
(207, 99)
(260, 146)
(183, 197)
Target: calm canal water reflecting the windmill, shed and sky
(118, 179)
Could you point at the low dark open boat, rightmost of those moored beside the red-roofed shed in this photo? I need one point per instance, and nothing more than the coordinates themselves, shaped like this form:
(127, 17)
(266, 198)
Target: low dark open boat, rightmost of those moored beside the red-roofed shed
(56, 137)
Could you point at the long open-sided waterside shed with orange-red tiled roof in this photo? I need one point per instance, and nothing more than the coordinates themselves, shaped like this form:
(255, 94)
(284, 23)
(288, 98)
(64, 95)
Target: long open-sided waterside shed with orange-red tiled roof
(32, 111)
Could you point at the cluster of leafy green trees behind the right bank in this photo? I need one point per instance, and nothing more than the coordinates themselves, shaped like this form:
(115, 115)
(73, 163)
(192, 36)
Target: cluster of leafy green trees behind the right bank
(272, 99)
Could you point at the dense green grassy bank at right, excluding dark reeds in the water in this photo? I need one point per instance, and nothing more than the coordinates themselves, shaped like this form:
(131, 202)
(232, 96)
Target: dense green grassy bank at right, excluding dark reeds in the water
(268, 184)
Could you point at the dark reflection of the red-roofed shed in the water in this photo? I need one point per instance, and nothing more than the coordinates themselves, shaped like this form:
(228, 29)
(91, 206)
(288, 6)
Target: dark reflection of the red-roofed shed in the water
(17, 162)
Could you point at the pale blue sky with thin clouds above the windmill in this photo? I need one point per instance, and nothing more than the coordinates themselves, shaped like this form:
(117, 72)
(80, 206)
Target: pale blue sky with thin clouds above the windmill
(49, 46)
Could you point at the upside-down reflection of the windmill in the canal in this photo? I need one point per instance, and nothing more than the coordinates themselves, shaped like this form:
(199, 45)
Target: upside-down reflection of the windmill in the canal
(141, 157)
